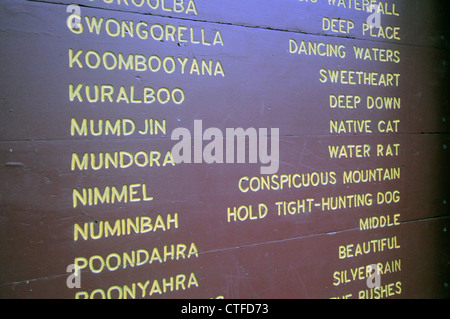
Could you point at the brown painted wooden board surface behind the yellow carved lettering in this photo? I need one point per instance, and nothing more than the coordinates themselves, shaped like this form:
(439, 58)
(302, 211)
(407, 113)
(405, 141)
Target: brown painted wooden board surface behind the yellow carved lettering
(265, 86)
